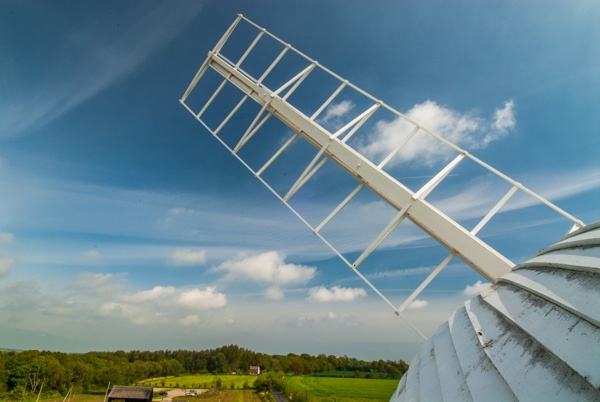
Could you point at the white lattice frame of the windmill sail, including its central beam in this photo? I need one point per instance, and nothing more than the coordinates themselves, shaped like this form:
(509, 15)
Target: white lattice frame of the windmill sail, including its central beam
(462, 243)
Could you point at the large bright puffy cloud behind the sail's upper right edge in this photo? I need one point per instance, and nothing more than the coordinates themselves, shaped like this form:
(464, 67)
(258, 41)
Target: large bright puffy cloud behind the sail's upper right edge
(465, 130)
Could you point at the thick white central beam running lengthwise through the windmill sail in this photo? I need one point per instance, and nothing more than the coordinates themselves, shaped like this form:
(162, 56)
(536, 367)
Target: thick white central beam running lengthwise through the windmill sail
(477, 254)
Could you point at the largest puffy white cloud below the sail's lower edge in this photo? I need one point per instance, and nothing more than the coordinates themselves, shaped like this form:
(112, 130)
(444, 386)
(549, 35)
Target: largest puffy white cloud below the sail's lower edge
(269, 267)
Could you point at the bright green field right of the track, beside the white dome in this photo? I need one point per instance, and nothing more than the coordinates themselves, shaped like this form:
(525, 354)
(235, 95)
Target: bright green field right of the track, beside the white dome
(324, 389)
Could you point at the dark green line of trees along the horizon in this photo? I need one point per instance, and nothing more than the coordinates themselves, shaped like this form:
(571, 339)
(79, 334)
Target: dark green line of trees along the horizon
(29, 371)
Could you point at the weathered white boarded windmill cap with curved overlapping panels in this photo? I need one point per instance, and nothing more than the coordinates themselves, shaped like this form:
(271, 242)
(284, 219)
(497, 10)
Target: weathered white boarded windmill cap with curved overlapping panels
(532, 336)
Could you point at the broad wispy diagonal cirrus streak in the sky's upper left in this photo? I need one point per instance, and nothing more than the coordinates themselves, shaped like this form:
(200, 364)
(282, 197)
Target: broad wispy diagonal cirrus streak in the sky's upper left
(88, 60)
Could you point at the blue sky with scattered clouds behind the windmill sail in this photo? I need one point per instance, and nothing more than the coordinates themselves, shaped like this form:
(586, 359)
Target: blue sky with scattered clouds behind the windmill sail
(125, 225)
